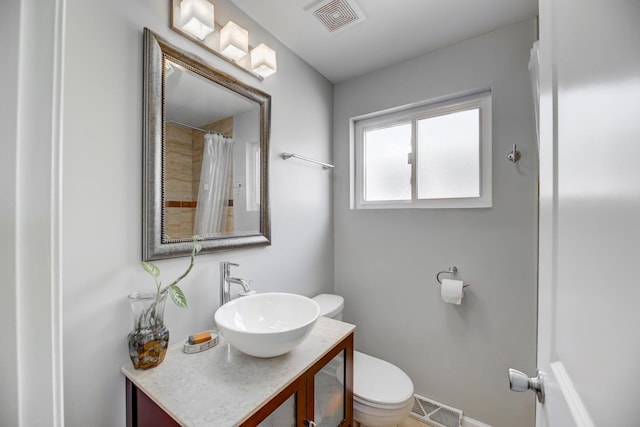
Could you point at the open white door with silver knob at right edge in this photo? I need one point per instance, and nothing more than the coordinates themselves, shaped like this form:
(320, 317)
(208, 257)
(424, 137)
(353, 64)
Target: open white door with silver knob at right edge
(589, 264)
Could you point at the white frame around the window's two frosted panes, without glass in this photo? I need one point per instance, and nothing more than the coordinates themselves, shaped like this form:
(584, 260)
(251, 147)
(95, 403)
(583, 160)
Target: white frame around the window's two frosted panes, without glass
(412, 113)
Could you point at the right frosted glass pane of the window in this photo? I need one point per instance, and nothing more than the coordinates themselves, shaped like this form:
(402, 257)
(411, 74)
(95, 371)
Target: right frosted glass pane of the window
(448, 149)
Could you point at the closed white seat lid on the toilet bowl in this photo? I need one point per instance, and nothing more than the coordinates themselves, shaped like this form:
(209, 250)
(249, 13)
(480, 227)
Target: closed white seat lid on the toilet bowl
(378, 383)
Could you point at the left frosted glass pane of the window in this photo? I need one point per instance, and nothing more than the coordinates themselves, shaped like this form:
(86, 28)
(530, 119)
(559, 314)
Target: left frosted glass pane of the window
(387, 174)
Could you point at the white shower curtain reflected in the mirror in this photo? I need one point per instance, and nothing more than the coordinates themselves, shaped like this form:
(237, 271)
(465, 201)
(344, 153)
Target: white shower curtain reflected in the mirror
(215, 176)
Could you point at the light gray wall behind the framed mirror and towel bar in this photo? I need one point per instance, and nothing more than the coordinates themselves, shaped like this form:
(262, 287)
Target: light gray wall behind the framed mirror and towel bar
(101, 246)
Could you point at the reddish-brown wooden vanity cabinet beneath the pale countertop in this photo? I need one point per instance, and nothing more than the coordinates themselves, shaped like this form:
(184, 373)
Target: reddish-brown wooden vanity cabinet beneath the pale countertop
(143, 412)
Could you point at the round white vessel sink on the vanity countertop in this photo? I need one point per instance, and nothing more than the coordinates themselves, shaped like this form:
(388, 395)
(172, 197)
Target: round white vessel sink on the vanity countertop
(269, 324)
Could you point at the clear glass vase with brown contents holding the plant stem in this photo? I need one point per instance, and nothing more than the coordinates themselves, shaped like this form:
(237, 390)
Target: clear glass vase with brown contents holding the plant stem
(149, 338)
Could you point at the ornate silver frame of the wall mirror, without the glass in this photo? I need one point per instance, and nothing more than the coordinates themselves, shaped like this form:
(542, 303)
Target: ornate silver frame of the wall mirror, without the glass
(156, 243)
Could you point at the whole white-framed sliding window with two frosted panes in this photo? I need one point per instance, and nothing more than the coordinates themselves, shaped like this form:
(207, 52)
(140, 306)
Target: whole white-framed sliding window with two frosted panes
(433, 156)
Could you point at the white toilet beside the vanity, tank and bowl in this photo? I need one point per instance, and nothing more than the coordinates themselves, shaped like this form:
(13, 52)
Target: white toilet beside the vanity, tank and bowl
(382, 392)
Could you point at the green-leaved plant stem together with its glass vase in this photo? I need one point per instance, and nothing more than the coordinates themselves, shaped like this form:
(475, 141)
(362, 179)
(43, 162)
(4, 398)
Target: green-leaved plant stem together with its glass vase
(149, 339)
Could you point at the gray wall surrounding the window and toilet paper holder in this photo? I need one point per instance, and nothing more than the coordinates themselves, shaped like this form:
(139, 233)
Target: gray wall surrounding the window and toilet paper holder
(386, 260)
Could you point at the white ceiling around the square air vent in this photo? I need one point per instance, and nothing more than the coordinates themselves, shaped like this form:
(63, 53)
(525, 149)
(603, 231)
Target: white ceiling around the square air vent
(392, 31)
